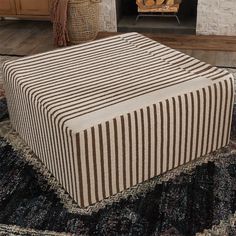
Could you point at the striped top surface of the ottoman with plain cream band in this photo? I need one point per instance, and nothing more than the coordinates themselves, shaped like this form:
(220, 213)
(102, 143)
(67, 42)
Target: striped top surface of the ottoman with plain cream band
(95, 81)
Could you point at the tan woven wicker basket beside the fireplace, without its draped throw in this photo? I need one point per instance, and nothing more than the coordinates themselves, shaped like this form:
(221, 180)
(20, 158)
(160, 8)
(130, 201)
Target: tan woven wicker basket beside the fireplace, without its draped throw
(82, 22)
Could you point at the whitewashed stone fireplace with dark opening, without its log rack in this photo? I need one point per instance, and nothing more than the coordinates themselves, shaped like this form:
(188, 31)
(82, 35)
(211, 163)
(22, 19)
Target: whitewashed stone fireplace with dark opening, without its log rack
(213, 18)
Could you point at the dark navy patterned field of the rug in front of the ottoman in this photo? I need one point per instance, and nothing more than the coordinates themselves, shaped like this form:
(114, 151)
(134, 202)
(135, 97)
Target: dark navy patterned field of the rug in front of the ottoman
(185, 205)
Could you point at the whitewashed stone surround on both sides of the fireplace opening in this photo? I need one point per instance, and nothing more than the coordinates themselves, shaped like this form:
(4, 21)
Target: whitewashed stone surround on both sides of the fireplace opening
(214, 17)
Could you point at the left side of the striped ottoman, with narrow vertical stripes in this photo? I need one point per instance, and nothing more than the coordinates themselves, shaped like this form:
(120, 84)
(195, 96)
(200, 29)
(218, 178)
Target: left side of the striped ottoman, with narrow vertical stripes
(37, 127)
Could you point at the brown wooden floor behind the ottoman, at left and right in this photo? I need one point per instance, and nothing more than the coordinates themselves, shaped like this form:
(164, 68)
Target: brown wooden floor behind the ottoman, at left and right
(31, 37)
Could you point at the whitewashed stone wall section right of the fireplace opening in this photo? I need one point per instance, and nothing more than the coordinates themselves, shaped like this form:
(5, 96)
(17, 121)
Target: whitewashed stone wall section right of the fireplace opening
(216, 17)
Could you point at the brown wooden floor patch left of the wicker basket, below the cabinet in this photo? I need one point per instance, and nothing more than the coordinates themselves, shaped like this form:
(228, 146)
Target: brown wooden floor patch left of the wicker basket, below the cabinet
(25, 37)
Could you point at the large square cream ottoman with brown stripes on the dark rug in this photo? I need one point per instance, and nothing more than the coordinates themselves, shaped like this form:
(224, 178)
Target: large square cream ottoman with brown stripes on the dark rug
(107, 115)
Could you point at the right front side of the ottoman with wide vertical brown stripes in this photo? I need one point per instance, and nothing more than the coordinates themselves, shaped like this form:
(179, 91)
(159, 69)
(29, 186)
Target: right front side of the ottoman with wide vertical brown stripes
(132, 148)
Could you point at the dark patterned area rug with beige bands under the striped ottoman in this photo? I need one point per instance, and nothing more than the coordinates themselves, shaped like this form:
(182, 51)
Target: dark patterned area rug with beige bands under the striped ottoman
(186, 201)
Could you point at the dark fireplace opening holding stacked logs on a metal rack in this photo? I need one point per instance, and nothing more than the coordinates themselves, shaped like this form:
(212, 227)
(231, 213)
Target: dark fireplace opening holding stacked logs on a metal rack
(157, 16)
